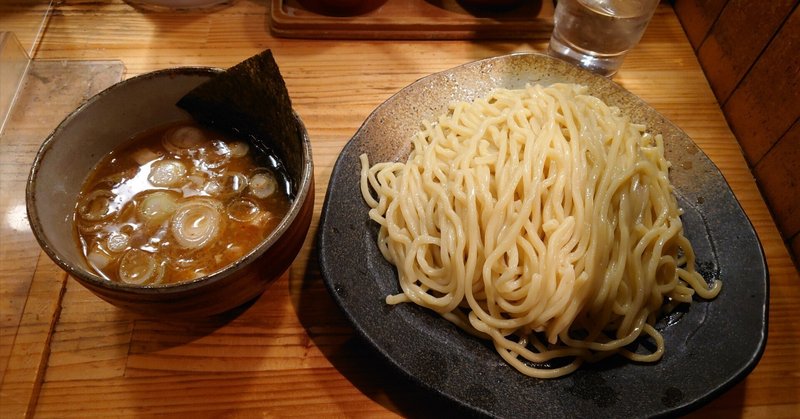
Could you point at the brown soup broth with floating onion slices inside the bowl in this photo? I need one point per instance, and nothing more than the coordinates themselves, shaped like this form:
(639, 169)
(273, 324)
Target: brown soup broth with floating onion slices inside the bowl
(177, 203)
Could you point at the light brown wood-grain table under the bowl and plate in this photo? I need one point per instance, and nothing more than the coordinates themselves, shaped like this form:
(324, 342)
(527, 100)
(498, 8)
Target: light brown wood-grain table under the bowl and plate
(64, 352)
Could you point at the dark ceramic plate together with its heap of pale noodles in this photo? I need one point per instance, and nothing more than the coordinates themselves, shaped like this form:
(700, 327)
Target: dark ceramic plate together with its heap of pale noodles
(526, 238)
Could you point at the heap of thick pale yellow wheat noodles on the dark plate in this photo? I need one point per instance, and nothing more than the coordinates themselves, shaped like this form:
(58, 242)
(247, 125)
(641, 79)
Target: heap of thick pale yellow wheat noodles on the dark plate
(540, 219)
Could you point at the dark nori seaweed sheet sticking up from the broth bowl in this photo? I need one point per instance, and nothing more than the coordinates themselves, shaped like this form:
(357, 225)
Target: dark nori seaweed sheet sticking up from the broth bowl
(250, 100)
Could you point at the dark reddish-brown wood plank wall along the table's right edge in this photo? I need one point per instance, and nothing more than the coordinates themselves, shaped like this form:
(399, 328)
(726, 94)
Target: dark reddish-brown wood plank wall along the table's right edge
(748, 55)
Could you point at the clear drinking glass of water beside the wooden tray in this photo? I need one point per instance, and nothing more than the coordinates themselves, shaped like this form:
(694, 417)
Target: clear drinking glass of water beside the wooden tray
(597, 34)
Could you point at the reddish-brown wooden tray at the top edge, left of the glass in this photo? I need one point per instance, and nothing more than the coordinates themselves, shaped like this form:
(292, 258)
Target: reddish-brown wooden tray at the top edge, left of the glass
(412, 19)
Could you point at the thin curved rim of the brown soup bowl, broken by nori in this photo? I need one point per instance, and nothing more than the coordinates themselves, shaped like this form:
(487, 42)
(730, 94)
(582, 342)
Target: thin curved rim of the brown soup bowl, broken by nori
(305, 187)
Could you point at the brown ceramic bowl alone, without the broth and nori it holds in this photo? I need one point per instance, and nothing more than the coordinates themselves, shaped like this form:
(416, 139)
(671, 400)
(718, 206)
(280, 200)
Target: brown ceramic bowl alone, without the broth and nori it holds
(107, 121)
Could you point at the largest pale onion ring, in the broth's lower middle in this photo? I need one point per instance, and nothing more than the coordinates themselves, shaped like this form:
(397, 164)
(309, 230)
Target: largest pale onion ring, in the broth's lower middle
(196, 223)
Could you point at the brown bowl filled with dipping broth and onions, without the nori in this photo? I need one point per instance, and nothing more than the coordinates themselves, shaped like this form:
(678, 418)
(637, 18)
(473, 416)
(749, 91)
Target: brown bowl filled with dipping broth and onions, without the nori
(157, 214)
